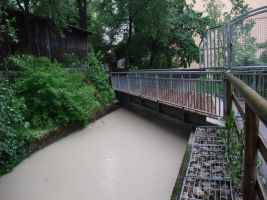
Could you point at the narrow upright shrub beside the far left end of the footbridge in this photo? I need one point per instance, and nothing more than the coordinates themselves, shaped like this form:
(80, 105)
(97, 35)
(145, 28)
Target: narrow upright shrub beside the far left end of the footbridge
(95, 74)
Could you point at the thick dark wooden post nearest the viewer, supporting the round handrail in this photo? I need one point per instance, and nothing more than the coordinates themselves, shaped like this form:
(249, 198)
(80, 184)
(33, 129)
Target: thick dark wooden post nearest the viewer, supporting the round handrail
(250, 156)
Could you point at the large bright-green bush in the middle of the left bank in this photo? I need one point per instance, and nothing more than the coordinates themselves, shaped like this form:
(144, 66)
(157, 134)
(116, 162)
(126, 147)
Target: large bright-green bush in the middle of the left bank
(54, 96)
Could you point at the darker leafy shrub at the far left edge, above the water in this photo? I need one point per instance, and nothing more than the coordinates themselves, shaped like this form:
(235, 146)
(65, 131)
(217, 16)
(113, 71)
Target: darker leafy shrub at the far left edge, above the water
(11, 127)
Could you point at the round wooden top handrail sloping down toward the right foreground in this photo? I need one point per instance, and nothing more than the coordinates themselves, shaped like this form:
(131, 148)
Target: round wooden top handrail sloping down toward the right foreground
(257, 103)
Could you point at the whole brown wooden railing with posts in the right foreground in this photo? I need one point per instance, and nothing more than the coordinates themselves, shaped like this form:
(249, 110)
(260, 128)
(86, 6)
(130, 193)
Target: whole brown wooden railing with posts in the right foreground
(255, 110)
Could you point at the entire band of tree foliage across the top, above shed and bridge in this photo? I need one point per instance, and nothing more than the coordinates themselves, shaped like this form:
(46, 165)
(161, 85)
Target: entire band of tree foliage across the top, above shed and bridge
(147, 33)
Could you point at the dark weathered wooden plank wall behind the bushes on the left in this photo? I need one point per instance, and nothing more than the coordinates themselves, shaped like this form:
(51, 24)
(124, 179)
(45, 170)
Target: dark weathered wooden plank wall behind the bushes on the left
(44, 40)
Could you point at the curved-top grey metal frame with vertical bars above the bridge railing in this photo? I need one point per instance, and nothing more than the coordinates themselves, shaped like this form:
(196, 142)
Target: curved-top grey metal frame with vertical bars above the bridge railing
(218, 44)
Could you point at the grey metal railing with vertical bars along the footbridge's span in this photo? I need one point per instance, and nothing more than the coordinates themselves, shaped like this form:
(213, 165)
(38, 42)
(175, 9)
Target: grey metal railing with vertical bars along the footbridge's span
(202, 92)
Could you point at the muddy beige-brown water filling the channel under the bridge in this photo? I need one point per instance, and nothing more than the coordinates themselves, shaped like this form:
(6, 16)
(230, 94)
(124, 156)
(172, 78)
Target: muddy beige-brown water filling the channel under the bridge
(130, 154)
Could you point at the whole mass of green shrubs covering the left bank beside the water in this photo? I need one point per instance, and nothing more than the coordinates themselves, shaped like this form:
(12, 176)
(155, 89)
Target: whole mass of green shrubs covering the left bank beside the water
(40, 95)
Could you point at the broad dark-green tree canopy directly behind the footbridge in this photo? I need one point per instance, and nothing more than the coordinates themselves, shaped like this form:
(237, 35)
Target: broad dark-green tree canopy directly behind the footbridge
(152, 33)
